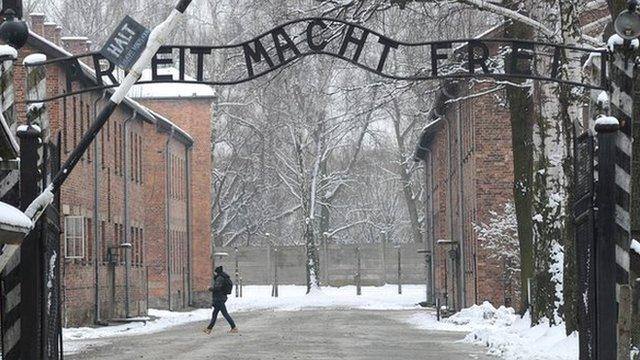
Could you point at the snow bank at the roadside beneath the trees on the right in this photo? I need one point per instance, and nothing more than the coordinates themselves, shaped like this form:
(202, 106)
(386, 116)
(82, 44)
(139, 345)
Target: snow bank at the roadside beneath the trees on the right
(505, 334)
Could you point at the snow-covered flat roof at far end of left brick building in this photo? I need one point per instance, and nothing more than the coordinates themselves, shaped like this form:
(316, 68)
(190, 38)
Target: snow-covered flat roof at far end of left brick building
(170, 90)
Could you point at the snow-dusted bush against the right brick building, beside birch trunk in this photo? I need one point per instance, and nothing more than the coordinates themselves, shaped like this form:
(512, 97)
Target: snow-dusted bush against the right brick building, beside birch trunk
(499, 237)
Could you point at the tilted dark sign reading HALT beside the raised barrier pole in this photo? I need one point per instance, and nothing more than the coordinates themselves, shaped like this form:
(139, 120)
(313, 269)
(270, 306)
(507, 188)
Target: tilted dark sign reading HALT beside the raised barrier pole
(126, 44)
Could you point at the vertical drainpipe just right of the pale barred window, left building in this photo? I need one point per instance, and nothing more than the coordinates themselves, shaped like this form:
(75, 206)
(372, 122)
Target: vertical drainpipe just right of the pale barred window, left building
(96, 205)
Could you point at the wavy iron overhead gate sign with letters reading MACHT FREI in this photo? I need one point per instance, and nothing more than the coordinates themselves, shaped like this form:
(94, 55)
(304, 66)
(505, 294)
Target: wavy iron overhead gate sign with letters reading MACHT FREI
(500, 59)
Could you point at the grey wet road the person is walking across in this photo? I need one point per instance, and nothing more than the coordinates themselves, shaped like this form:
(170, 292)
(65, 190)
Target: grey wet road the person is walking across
(302, 335)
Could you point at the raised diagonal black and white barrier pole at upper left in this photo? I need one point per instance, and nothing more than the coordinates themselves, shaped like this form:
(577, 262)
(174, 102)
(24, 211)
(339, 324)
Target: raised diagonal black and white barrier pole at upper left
(156, 39)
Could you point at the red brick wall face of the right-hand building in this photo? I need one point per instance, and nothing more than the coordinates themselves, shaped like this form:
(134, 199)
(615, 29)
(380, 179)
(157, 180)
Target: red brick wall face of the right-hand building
(472, 169)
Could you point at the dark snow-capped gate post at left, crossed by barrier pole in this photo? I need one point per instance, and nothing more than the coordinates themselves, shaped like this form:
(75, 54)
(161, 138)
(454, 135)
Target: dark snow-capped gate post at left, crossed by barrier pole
(31, 252)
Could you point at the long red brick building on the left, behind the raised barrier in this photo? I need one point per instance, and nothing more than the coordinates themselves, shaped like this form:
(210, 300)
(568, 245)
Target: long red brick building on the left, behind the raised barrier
(134, 214)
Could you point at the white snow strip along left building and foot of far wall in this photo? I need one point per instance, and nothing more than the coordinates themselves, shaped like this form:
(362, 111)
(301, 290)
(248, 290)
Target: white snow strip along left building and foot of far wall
(256, 298)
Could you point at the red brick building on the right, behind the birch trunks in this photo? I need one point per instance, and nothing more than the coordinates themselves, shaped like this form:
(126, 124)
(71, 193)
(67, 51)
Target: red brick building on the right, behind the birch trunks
(469, 174)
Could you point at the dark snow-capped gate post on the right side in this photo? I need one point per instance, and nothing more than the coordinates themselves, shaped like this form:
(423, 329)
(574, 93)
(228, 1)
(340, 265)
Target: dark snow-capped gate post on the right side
(605, 243)
